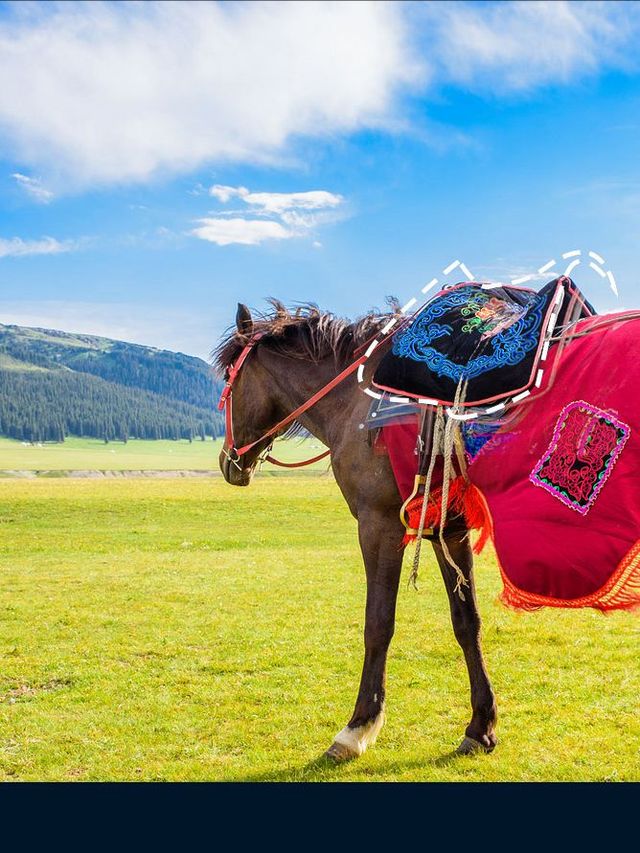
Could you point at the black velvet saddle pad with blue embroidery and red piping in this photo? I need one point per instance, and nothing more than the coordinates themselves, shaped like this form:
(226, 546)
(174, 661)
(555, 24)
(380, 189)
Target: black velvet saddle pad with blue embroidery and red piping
(490, 337)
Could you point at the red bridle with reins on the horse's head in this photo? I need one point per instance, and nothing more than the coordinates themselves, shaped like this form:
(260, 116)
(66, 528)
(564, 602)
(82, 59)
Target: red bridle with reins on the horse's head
(234, 453)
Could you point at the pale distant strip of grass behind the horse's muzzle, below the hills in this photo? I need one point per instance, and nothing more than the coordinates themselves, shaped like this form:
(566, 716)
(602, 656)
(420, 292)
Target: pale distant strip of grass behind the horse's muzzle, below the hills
(91, 454)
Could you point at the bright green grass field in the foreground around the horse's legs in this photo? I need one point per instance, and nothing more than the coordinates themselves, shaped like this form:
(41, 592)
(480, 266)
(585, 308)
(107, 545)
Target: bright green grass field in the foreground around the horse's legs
(185, 630)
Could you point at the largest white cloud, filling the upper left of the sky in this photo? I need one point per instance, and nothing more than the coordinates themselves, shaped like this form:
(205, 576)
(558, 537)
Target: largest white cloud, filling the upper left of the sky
(109, 92)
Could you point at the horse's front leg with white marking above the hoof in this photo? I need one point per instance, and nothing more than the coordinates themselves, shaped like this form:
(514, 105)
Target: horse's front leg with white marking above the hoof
(380, 542)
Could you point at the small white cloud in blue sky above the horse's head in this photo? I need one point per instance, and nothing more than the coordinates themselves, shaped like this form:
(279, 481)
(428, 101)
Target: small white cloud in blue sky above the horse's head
(283, 215)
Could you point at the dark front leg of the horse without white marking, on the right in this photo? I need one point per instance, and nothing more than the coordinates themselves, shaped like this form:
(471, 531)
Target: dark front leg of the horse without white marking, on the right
(479, 734)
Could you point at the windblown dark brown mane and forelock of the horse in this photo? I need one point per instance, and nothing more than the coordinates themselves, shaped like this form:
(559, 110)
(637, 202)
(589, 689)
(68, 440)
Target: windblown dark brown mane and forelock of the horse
(305, 332)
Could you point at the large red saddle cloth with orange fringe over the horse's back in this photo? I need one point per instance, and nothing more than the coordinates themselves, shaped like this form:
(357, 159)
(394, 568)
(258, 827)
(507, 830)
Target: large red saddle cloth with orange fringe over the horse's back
(562, 484)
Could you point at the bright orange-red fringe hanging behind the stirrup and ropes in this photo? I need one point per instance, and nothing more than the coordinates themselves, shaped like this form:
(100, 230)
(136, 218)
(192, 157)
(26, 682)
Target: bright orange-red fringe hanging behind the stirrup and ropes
(464, 499)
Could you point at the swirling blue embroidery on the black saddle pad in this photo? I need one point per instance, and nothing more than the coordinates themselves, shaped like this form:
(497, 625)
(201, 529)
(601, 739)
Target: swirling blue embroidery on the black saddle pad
(510, 346)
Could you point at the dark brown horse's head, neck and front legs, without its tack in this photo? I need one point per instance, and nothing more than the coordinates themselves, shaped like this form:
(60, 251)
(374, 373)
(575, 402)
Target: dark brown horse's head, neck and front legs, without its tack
(296, 355)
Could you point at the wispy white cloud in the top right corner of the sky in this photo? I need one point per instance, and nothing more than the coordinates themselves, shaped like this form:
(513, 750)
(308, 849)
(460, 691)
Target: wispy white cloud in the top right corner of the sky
(514, 47)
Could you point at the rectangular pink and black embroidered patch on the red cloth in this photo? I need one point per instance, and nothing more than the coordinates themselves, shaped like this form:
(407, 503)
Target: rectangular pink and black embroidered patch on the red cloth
(586, 444)
